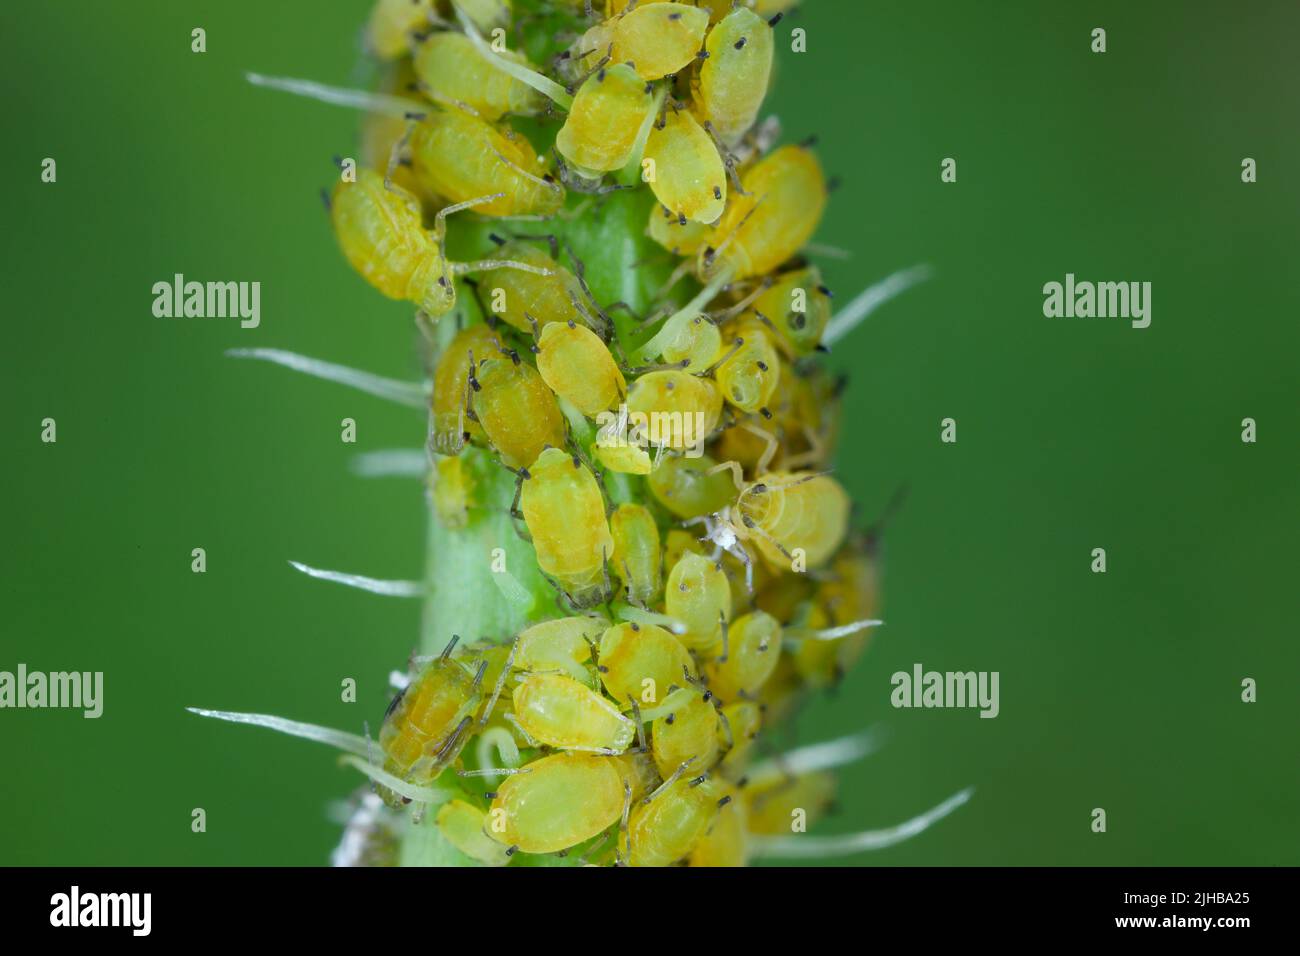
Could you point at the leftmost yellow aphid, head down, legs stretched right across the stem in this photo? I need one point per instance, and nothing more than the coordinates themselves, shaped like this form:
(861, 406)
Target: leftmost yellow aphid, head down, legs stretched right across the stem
(382, 233)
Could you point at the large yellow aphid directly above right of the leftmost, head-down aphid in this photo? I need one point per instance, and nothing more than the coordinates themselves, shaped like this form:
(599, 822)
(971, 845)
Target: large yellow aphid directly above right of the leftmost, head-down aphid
(461, 158)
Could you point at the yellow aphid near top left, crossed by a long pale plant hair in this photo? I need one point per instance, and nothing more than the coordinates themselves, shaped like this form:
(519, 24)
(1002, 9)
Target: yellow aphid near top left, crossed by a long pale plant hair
(452, 70)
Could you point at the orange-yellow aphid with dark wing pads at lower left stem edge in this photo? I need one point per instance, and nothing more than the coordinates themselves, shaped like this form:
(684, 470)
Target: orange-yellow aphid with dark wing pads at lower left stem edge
(427, 726)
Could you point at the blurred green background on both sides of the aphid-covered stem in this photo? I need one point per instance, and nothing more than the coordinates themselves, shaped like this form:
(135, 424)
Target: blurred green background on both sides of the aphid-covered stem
(1117, 691)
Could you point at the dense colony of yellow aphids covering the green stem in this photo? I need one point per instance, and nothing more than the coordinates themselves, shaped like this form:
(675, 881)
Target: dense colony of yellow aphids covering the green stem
(696, 598)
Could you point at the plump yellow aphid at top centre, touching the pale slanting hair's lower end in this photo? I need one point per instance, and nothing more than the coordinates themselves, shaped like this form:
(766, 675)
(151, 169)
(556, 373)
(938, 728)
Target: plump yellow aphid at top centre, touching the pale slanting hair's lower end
(605, 120)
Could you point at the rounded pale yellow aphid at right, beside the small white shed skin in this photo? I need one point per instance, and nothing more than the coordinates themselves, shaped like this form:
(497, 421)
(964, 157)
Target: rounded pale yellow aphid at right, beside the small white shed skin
(795, 517)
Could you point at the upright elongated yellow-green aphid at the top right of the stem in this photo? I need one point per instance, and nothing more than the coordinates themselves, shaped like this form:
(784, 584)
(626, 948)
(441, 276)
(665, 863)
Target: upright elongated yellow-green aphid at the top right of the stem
(733, 81)
